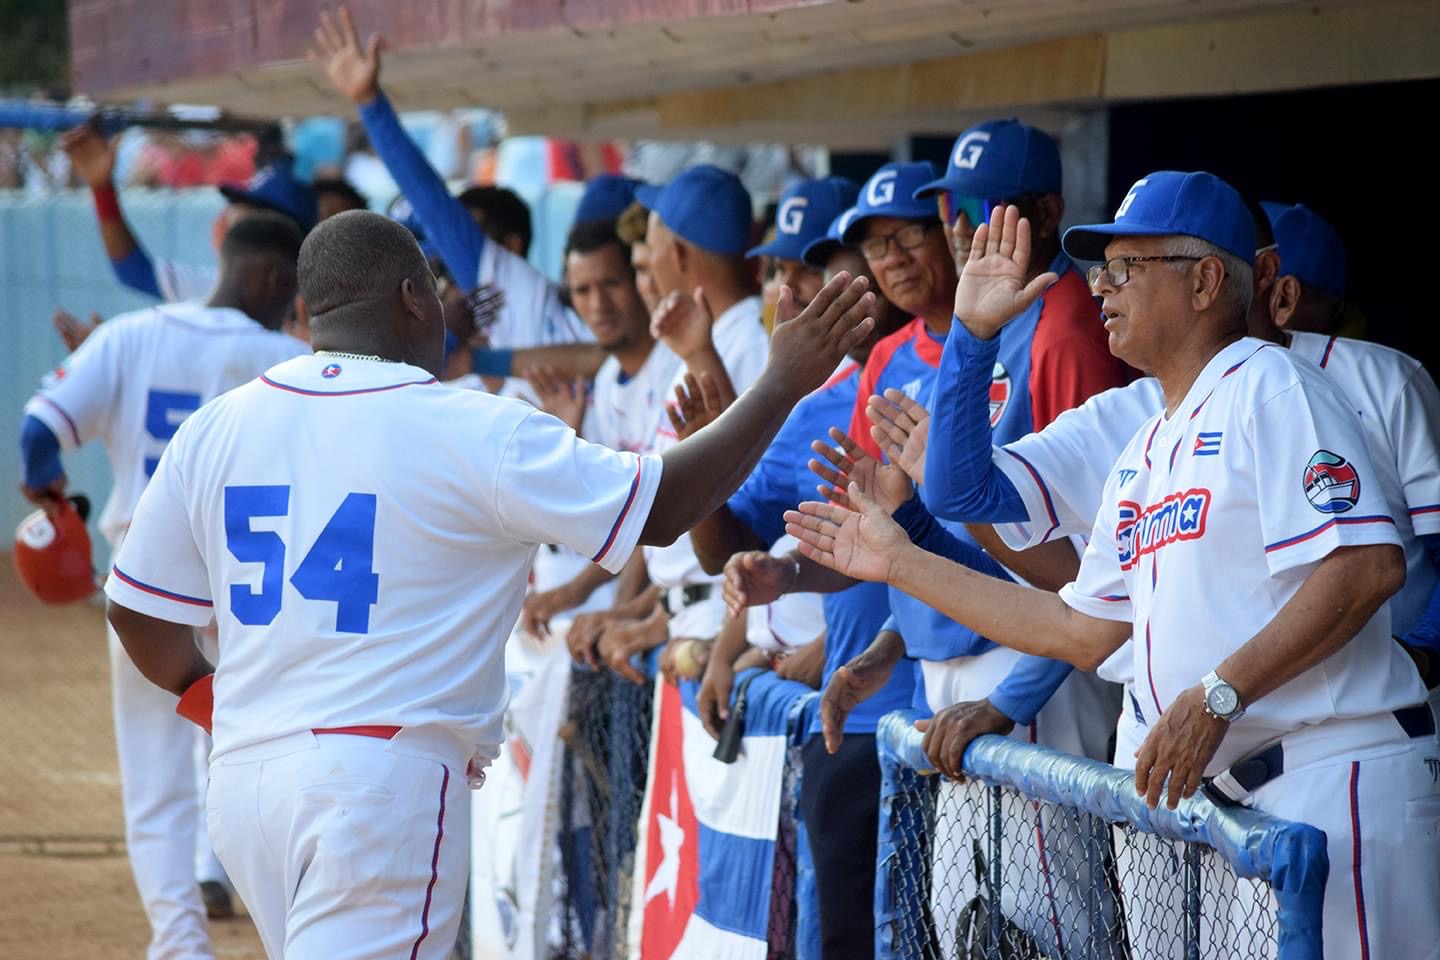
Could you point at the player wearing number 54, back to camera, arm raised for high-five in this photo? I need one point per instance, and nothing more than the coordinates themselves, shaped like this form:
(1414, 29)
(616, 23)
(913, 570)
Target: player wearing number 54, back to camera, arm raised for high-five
(356, 692)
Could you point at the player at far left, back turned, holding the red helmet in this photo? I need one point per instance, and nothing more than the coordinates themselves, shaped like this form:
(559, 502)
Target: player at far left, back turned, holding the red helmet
(132, 385)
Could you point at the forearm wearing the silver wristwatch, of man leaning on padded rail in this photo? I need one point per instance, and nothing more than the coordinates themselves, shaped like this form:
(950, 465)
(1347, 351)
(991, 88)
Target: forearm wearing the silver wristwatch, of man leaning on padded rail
(1326, 614)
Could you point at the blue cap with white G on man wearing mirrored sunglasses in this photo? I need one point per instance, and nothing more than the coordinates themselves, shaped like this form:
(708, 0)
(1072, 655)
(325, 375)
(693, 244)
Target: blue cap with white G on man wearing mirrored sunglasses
(1000, 160)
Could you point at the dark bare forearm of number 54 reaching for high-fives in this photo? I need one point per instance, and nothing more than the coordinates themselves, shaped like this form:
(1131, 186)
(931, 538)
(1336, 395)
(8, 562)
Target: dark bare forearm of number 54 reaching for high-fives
(708, 468)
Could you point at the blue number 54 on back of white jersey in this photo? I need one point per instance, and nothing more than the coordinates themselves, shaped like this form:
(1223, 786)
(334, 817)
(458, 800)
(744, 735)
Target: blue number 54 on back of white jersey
(339, 568)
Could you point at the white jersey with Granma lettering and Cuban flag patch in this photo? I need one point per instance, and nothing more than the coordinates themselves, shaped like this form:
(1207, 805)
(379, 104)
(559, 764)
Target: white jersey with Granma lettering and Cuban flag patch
(1215, 517)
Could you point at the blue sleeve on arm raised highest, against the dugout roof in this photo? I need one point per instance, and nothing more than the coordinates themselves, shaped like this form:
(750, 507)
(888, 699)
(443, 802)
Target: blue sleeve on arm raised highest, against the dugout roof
(446, 219)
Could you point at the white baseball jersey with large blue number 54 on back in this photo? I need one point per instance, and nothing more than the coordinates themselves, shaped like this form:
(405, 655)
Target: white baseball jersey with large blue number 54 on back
(364, 536)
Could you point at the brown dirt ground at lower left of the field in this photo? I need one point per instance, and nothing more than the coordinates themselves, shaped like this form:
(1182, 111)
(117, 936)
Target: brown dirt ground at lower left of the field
(66, 884)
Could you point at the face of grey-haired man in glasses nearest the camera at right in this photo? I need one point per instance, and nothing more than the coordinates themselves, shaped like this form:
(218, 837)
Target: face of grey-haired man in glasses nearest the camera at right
(1146, 314)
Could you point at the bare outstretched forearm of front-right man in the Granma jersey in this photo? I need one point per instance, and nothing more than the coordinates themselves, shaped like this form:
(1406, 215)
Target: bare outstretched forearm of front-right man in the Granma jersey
(1020, 618)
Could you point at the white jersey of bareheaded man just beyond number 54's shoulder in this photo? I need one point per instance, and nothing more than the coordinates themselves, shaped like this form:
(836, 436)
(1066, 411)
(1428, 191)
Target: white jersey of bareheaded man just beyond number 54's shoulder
(627, 414)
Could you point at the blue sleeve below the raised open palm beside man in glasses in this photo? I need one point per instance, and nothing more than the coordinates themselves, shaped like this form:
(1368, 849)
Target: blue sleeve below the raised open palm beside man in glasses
(961, 481)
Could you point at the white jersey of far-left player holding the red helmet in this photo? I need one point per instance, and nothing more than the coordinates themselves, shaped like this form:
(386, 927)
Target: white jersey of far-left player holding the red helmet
(139, 376)
